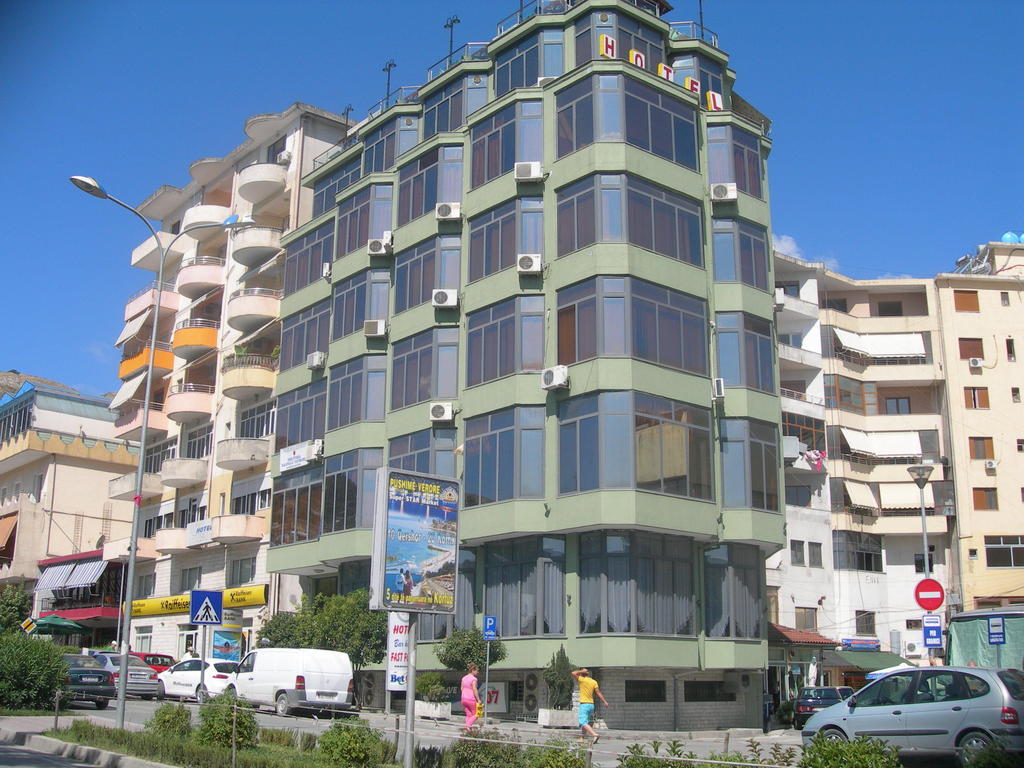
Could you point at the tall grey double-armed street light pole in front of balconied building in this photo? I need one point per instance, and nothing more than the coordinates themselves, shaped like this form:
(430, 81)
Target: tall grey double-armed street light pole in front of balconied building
(92, 187)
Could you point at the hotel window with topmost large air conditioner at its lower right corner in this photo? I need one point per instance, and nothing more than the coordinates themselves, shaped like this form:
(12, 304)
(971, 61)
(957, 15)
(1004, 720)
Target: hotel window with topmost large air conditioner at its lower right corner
(513, 136)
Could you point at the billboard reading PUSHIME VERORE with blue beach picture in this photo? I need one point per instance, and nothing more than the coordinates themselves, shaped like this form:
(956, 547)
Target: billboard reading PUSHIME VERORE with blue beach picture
(416, 543)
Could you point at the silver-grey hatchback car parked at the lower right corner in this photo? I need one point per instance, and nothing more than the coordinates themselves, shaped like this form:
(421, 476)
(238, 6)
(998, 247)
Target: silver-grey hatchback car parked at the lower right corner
(940, 709)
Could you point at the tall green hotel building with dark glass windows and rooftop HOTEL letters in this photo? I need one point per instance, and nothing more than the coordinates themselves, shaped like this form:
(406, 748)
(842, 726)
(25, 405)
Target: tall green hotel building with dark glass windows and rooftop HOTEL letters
(547, 272)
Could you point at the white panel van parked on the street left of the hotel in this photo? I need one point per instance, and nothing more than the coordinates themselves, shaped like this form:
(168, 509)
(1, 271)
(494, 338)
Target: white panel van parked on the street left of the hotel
(291, 679)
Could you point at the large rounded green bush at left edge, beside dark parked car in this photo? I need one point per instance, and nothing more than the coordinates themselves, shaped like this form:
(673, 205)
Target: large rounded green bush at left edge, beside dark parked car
(31, 671)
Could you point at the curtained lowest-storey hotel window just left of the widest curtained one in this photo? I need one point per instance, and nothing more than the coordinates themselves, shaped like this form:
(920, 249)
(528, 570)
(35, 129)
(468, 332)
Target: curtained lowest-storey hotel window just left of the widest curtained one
(525, 585)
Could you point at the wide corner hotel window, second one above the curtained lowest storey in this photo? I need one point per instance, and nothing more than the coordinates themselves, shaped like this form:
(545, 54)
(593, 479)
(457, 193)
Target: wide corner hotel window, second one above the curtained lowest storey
(630, 318)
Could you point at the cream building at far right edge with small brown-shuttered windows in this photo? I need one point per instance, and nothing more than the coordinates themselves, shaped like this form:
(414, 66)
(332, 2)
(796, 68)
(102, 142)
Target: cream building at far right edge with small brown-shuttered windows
(983, 322)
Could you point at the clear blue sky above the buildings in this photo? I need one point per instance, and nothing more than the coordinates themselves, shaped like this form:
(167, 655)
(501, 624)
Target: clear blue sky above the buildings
(898, 129)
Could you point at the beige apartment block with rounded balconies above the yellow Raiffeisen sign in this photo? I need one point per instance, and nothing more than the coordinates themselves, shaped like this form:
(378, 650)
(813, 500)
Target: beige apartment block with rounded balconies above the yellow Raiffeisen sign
(207, 487)
